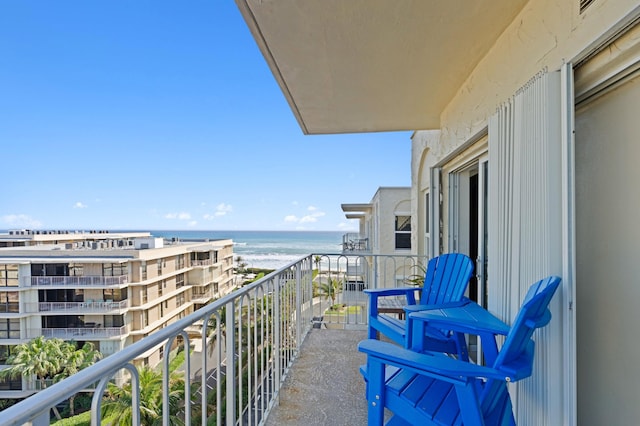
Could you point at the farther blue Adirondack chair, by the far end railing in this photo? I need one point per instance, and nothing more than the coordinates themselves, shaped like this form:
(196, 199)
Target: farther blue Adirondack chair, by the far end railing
(446, 279)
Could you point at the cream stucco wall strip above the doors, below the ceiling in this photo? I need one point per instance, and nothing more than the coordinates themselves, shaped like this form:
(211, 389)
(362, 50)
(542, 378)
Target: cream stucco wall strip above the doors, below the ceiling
(545, 35)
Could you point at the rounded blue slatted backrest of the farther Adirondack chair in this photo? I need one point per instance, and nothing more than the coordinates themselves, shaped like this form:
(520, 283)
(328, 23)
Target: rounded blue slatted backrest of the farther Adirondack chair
(446, 278)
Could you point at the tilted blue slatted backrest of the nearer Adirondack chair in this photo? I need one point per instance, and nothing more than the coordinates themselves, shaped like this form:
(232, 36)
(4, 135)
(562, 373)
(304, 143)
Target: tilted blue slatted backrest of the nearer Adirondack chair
(516, 355)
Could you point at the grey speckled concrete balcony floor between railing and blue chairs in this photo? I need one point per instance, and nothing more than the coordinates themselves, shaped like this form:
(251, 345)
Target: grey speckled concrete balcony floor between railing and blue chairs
(324, 386)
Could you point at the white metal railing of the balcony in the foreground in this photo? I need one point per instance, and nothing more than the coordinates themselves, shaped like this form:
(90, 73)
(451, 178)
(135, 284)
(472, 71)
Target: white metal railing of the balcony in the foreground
(247, 339)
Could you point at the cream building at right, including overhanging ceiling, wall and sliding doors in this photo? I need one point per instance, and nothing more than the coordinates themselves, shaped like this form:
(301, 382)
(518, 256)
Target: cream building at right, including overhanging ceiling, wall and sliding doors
(523, 158)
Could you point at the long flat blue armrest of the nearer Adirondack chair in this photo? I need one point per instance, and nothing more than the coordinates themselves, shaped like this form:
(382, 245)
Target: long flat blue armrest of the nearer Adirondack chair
(429, 364)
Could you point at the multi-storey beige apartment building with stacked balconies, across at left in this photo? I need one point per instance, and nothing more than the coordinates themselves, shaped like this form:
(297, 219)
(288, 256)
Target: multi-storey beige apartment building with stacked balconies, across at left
(111, 289)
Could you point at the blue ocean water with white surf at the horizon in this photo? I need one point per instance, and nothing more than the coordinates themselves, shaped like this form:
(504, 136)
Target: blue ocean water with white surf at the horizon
(268, 249)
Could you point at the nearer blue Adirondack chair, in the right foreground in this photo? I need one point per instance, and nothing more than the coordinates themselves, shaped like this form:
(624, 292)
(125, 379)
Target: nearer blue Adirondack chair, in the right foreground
(431, 388)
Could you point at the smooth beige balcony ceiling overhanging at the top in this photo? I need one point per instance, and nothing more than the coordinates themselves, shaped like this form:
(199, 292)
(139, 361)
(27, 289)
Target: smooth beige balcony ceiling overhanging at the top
(373, 65)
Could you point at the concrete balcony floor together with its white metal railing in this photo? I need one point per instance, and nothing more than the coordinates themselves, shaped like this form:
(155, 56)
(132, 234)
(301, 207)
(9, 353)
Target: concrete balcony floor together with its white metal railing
(275, 343)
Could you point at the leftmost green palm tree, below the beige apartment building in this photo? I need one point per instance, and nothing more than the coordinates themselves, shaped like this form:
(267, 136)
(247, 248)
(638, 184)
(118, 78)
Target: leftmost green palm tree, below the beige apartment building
(40, 358)
